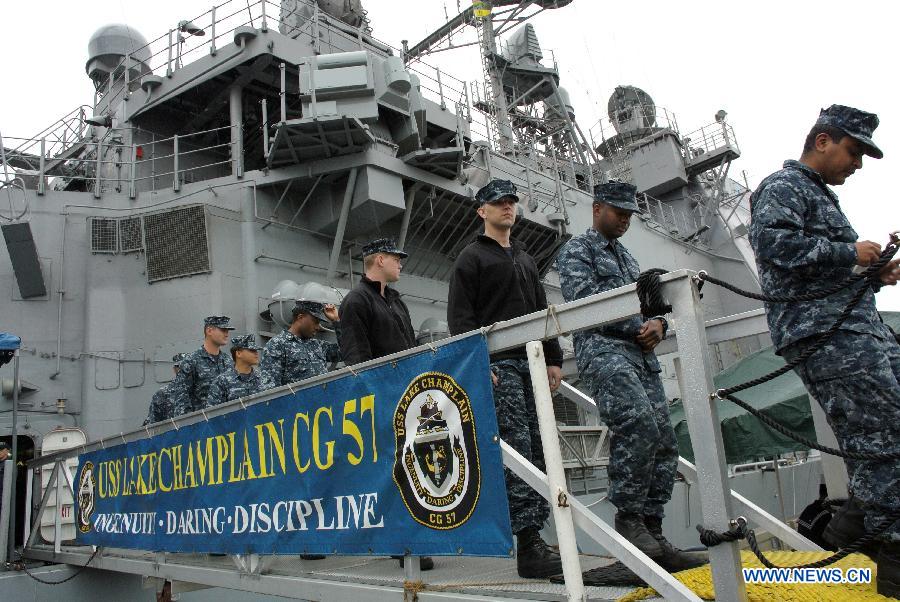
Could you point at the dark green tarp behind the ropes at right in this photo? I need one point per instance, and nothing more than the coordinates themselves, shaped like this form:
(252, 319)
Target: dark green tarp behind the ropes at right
(784, 399)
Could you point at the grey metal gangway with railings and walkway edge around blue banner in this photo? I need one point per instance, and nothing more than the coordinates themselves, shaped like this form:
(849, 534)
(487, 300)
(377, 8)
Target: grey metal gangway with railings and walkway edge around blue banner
(341, 578)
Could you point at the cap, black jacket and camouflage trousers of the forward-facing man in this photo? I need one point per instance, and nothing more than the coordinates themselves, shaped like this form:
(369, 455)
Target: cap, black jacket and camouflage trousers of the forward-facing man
(489, 284)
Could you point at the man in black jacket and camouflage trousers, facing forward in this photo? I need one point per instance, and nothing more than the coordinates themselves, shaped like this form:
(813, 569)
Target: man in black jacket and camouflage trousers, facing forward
(494, 279)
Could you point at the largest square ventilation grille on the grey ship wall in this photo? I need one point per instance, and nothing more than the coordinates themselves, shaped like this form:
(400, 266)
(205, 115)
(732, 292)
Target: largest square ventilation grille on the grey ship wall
(176, 243)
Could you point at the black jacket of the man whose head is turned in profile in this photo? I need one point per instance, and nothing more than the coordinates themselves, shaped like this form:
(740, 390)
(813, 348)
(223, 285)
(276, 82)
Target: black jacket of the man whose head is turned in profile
(373, 326)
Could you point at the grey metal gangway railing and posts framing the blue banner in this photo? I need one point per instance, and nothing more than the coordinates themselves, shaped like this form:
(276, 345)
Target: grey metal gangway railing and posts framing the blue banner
(719, 504)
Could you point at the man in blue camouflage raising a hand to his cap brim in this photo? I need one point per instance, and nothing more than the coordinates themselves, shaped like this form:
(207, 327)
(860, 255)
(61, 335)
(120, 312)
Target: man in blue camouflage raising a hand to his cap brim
(295, 354)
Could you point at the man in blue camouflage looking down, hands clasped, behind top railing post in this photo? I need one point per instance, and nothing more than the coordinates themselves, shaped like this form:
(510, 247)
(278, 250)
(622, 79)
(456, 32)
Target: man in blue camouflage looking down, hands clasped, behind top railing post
(617, 363)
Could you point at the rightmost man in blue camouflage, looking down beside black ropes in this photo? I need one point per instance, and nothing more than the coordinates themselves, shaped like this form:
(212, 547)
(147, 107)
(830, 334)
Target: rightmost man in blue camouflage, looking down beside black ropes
(804, 243)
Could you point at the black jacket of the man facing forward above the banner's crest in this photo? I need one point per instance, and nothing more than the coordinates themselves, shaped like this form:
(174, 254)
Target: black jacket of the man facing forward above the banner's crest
(488, 285)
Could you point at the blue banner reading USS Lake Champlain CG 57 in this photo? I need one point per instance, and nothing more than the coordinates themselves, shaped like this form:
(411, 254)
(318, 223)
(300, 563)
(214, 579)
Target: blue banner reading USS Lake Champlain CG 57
(402, 458)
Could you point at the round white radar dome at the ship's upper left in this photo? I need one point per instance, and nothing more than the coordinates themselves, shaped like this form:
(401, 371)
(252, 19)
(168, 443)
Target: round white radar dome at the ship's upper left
(110, 45)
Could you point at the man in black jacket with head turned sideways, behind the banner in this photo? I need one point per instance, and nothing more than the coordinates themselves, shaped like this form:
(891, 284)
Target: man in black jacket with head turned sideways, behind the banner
(375, 320)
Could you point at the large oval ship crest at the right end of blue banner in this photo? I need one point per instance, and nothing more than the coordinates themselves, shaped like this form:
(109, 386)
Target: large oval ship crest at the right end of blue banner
(436, 464)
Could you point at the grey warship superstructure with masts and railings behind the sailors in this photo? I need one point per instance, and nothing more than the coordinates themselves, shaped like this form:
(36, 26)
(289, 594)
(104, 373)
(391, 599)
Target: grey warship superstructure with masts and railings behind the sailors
(240, 161)
